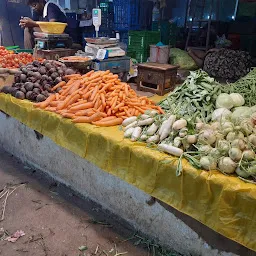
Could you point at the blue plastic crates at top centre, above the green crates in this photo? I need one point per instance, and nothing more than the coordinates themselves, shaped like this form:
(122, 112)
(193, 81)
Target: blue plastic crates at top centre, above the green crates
(126, 14)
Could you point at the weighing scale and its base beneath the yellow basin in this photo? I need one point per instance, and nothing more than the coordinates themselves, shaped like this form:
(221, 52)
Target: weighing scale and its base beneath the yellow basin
(52, 46)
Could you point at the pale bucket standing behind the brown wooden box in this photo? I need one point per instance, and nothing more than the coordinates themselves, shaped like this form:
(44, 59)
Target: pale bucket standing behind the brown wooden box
(159, 54)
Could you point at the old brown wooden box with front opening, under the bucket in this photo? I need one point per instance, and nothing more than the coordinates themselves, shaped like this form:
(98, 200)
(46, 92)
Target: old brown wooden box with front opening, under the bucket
(156, 78)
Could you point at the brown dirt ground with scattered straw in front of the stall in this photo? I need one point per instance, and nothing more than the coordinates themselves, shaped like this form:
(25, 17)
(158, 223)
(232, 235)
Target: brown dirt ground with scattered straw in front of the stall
(53, 226)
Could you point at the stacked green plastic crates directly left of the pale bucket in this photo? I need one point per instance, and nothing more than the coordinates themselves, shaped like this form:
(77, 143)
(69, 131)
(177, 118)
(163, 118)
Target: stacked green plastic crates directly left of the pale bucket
(139, 44)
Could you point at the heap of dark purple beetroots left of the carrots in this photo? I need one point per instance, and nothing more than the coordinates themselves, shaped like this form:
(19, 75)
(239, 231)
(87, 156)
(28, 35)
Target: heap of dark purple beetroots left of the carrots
(36, 80)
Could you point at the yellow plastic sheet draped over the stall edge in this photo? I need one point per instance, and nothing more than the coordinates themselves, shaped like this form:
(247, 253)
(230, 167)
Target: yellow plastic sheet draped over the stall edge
(223, 203)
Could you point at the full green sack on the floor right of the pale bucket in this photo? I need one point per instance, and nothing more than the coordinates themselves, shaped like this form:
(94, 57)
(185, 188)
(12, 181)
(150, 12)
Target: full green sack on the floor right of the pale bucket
(181, 58)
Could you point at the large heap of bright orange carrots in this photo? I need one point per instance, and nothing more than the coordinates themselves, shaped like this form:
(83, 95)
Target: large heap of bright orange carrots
(98, 97)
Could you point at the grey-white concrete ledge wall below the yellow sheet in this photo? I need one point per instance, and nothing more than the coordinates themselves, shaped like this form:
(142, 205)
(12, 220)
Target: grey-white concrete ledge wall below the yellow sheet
(169, 227)
